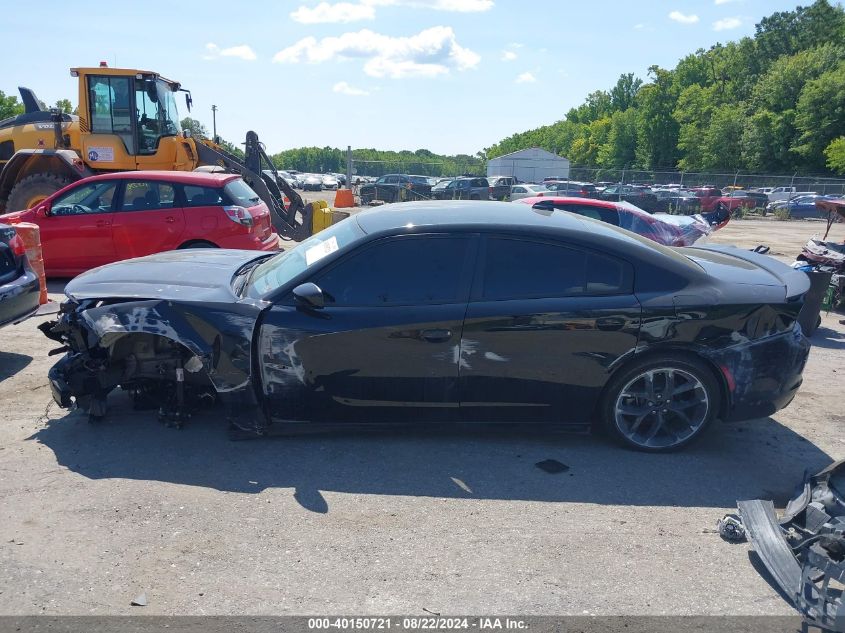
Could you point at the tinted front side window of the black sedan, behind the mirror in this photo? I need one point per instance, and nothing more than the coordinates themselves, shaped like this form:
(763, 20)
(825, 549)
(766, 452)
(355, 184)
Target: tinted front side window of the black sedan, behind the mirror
(399, 271)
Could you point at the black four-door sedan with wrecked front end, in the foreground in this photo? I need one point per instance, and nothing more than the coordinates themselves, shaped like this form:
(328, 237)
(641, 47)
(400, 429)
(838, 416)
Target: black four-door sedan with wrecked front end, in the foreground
(443, 313)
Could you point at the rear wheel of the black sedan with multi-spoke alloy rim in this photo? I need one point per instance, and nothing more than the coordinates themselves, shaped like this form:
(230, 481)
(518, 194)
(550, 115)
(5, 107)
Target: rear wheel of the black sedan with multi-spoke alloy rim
(661, 403)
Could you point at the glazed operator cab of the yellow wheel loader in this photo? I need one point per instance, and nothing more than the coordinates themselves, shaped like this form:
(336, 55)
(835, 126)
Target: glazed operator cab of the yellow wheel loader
(132, 119)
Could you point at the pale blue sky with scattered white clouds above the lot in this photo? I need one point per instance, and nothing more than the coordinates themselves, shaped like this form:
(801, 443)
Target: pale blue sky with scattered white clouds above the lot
(452, 76)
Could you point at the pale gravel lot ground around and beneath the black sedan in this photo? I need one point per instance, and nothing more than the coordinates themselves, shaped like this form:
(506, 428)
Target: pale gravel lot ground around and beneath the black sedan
(389, 522)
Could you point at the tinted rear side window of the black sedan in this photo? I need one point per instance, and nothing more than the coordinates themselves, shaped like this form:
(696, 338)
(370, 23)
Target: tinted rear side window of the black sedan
(555, 271)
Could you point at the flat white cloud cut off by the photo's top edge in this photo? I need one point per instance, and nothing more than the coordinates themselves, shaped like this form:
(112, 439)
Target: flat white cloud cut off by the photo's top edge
(328, 12)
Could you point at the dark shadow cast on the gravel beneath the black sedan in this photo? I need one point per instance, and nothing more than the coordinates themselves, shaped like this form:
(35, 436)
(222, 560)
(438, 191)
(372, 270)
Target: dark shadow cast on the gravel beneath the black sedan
(742, 461)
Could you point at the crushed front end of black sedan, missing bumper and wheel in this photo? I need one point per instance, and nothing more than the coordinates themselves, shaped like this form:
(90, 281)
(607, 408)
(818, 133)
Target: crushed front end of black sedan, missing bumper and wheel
(170, 357)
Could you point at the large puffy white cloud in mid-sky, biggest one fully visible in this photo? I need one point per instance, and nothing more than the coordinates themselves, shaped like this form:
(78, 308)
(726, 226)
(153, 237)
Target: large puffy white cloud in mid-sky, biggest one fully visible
(429, 53)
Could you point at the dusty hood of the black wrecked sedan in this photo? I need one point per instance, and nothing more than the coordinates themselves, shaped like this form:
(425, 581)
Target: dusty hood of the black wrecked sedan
(203, 275)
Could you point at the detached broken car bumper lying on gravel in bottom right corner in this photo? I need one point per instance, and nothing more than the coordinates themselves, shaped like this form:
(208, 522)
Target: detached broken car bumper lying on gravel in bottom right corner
(805, 550)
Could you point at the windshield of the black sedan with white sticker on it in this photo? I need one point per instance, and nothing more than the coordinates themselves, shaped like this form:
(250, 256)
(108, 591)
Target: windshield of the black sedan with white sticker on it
(278, 271)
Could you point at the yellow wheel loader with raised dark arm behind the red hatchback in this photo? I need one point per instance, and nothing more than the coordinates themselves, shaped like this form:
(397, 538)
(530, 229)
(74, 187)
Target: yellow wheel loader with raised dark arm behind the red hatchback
(128, 120)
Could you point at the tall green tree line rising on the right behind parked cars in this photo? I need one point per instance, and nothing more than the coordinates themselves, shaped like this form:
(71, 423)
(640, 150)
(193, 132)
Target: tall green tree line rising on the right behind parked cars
(772, 103)
